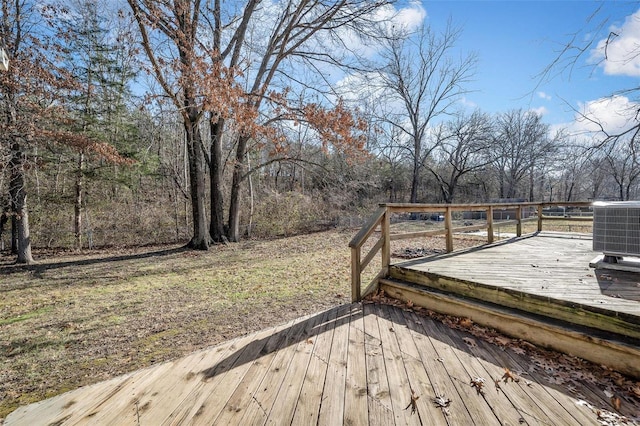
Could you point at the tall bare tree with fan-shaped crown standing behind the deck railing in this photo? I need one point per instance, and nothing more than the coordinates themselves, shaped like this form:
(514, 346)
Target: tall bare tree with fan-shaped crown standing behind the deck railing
(421, 81)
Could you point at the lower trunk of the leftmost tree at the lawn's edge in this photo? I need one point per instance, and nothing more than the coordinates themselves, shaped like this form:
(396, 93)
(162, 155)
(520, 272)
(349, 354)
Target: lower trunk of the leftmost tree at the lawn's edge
(18, 196)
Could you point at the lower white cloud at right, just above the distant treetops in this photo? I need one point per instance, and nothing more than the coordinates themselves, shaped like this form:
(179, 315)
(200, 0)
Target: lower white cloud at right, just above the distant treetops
(612, 115)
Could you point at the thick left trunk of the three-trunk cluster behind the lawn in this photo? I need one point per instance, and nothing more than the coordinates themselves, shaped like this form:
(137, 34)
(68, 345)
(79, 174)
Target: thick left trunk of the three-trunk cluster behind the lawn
(200, 239)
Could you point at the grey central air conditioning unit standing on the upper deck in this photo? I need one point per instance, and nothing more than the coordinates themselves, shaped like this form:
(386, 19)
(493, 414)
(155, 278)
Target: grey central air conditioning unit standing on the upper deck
(616, 229)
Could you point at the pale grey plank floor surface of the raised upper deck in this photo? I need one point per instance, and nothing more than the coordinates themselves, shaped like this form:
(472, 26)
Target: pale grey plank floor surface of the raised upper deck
(549, 266)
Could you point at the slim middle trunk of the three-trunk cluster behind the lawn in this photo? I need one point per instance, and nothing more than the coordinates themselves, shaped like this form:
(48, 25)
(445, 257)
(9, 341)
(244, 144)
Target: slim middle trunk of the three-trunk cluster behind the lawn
(216, 228)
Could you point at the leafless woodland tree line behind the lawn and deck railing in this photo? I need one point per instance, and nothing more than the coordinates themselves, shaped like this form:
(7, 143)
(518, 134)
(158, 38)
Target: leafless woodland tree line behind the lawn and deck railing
(210, 121)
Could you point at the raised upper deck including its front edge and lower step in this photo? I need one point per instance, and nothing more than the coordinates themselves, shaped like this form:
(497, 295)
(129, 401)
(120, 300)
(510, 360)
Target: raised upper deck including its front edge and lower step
(539, 288)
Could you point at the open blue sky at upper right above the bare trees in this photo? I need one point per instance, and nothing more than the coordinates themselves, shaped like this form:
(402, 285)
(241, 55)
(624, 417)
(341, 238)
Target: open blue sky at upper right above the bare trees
(516, 40)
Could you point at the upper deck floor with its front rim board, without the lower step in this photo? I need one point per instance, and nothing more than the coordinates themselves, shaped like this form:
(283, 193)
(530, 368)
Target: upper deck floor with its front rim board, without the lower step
(546, 275)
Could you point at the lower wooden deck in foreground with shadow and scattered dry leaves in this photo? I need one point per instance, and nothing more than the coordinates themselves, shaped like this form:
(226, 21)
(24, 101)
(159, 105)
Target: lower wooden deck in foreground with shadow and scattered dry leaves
(354, 364)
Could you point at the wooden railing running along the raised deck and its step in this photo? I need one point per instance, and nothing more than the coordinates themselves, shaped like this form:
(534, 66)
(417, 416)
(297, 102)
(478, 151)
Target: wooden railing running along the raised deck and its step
(381, 221)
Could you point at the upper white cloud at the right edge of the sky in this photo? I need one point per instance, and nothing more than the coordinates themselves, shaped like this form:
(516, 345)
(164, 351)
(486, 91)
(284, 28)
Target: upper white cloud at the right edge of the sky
(619, 53)
